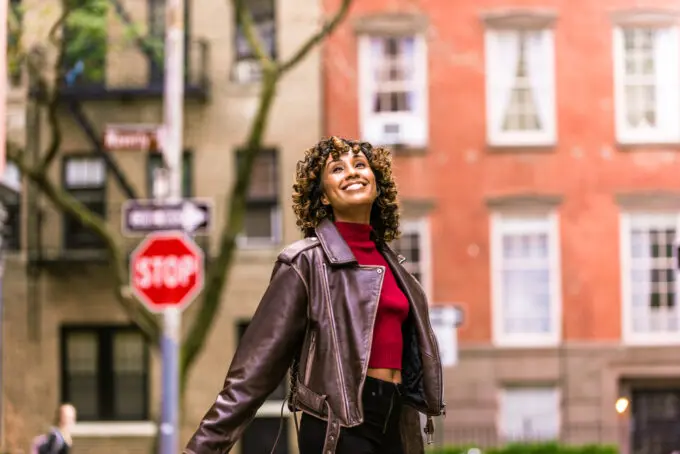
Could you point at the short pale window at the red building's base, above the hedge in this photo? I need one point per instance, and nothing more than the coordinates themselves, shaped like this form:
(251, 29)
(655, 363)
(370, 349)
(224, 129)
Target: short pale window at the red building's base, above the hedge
(529, 414)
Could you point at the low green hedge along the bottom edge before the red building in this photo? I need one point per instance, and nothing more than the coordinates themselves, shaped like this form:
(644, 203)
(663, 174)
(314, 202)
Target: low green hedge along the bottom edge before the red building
(530, 448)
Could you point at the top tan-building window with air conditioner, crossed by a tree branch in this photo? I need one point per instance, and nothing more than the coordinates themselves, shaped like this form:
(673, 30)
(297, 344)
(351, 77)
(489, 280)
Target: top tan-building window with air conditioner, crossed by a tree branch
(246, 67)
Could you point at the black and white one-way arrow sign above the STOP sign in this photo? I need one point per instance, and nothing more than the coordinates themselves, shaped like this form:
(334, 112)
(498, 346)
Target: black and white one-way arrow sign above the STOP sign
(144, 216)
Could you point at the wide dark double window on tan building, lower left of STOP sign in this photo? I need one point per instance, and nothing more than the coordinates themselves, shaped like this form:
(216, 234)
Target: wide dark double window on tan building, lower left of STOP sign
(105, 371)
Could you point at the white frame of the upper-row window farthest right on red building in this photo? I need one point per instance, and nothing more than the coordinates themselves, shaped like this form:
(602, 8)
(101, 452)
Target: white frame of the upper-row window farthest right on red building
(668, 97)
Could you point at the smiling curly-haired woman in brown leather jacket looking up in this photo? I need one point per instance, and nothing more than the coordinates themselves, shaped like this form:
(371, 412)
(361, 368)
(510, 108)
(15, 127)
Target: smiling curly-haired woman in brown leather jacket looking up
(342, 312)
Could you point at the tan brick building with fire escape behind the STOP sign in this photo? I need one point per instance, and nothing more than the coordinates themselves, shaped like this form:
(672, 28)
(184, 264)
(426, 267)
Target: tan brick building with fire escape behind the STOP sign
(66, 337)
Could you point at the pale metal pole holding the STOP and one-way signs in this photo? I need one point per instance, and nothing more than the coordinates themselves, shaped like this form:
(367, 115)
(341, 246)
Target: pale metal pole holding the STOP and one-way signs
(173, 104)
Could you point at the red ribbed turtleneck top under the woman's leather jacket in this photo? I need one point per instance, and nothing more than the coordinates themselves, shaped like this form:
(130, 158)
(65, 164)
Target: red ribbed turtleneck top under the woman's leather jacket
(393, 306)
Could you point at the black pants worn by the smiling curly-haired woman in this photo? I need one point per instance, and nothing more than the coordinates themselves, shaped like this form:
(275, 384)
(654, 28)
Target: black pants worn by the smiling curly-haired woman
(378, 434)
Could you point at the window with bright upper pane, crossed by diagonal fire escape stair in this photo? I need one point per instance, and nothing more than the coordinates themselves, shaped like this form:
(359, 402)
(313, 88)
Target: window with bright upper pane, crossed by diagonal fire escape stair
(85, 179)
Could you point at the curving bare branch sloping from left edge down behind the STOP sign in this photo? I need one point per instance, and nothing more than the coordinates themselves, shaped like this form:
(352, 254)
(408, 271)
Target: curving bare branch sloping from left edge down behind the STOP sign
(71, 206)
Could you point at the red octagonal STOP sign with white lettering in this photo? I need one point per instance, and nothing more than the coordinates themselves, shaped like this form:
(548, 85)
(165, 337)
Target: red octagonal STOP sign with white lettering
(166, 271)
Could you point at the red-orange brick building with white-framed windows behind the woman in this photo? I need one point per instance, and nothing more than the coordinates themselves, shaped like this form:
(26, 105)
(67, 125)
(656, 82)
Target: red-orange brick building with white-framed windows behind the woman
(536, 144)
